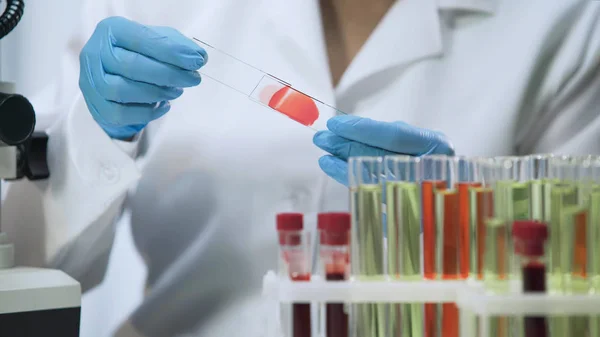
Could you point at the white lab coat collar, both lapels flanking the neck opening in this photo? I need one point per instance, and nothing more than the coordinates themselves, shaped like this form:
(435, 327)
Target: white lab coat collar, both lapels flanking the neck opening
(411, 31)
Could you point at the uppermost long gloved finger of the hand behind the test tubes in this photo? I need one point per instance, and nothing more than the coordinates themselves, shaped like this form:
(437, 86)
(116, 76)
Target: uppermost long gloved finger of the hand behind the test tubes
(397, 137)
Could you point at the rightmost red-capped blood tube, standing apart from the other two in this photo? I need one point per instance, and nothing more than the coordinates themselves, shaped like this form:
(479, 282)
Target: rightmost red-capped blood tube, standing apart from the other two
(529, 244)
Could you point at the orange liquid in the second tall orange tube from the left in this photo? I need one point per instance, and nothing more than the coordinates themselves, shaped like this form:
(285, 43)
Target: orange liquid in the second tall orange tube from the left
(464, 220)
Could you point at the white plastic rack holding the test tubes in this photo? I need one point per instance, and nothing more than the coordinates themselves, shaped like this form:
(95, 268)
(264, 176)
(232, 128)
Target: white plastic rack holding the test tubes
(470, 297)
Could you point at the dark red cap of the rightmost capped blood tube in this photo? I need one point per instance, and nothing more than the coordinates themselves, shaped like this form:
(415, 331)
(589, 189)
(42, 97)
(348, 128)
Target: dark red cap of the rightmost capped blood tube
(530, 237)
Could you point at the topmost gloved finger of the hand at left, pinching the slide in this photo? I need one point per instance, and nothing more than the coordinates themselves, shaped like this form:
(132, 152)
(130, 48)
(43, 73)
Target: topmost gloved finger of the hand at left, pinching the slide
(161, 44)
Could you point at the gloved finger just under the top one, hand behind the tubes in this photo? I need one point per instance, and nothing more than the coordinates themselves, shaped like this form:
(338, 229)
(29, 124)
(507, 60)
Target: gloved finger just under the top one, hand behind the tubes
(344, 148)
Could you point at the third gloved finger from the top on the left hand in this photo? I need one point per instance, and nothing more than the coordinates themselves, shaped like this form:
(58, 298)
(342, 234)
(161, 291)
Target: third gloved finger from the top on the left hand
(122, 90)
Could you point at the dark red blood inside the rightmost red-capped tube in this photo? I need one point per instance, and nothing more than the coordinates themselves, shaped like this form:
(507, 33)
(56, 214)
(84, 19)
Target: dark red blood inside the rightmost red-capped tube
(534, 280)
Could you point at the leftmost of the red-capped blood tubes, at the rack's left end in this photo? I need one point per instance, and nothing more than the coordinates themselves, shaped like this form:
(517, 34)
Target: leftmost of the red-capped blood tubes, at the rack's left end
(295, 264)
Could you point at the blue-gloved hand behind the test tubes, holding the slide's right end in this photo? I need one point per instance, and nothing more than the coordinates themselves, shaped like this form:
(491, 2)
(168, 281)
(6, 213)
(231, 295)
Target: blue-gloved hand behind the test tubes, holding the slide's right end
(352, 136)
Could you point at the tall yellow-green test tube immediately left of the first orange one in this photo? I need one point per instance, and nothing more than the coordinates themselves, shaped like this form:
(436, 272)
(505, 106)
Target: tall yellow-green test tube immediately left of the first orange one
(404, 239)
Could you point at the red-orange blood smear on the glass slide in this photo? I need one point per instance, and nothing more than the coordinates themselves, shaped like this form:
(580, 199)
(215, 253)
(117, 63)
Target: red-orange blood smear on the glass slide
(291, 103)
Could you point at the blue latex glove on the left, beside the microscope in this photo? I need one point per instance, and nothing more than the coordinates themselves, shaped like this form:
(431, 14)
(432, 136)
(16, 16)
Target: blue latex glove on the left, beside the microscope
(129, 72)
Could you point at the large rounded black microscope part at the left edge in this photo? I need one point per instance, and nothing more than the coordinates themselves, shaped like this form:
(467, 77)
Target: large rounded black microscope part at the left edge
(17, 119)
